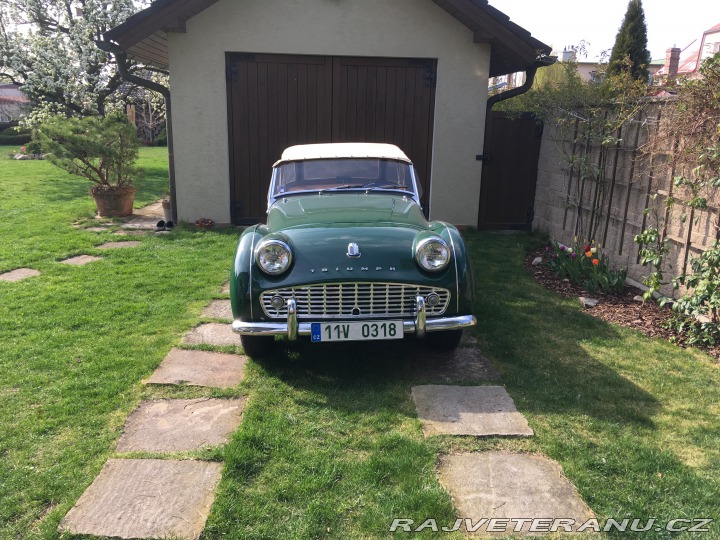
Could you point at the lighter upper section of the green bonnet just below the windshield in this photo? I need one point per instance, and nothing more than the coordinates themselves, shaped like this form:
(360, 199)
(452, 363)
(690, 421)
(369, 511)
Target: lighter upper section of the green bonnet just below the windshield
(337, 209)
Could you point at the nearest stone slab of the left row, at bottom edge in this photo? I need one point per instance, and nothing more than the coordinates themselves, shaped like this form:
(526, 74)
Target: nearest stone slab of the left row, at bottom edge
(146, 498)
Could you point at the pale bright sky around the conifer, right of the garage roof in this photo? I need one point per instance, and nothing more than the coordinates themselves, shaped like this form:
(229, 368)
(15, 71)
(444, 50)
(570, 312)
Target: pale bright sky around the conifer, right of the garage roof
(566, 22)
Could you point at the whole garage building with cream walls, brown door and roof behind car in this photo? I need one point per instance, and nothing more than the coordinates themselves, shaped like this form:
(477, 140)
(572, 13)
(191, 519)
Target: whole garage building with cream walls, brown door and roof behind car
(249, 77)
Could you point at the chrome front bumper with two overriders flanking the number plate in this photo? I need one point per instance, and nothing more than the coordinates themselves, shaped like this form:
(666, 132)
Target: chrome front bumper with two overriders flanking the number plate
(292, 328)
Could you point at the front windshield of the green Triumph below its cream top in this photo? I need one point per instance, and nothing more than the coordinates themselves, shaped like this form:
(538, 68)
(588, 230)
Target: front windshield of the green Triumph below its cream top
(342, 174)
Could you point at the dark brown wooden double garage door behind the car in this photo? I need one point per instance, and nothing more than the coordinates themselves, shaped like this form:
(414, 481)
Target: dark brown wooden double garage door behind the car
(276, 101)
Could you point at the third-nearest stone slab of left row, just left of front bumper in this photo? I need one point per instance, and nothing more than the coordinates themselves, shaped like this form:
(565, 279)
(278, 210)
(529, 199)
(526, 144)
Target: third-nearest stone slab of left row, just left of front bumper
(200, 368)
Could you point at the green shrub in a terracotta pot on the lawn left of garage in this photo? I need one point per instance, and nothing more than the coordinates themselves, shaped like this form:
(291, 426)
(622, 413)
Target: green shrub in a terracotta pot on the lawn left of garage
(101, 150)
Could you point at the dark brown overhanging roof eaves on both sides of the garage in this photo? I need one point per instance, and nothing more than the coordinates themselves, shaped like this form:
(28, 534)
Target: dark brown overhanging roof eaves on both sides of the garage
(144, 35)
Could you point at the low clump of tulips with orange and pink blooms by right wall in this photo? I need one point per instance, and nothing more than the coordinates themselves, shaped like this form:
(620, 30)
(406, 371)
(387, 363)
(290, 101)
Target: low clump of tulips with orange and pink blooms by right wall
(585, 264)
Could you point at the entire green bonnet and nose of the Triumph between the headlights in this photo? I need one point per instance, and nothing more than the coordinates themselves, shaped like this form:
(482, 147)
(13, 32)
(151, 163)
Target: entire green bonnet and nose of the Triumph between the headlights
(320, 228)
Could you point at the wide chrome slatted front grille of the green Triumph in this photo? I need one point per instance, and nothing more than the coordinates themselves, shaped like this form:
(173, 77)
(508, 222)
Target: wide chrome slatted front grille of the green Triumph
(356, 300)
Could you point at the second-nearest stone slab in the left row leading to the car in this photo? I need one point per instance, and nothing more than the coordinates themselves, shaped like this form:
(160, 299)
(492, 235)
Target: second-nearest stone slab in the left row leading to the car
(174, 425)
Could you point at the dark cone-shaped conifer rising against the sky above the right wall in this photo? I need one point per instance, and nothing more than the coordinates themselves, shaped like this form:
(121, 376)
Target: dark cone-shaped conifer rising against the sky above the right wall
(630, 51)
